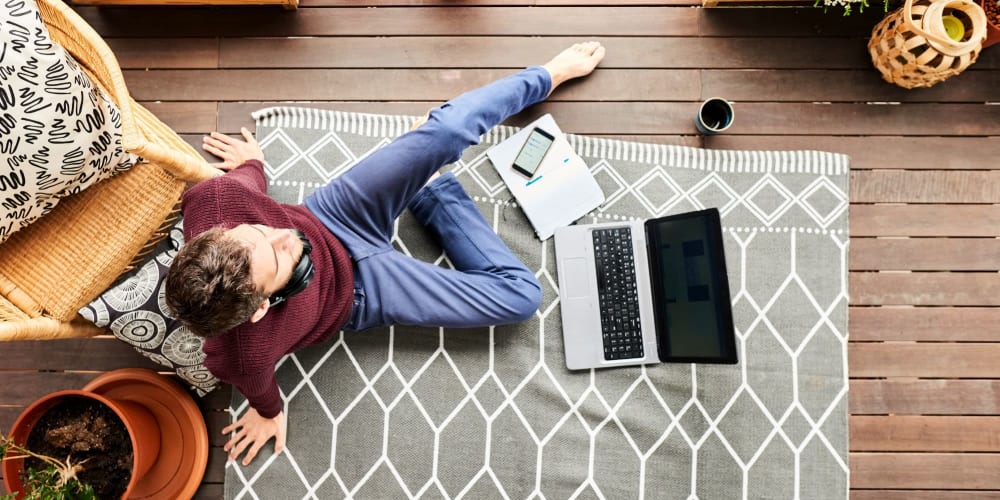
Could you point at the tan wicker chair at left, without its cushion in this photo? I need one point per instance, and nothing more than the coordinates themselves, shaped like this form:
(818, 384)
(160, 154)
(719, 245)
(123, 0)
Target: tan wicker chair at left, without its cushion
(52, 268)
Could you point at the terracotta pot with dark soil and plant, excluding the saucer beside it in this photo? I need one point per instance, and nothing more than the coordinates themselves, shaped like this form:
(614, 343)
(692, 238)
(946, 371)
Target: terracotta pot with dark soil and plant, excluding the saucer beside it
(108, 446)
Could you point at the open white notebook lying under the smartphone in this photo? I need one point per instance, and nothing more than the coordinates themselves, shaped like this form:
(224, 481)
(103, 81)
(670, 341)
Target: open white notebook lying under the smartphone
(562, 190)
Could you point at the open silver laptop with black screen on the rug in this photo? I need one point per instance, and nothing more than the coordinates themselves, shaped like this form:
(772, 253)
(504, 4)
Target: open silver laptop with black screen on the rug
(645, 292)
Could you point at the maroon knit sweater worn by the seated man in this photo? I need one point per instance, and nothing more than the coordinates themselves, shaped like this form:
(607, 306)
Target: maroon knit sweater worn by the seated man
(246, 356)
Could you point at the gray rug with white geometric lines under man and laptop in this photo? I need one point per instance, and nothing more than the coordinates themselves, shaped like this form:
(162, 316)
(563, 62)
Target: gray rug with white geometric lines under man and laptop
(493, 413)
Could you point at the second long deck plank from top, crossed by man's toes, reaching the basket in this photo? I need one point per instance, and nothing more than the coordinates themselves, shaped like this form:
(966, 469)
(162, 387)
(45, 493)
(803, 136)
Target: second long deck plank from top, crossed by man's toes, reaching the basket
(516, 52)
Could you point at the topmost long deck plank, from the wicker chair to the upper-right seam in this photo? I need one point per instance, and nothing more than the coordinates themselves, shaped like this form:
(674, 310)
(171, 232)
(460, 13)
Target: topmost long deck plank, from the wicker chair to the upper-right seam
(390, 21)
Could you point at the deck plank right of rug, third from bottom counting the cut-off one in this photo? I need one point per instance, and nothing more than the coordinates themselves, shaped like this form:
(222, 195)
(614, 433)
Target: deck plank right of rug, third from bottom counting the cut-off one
(925, 434)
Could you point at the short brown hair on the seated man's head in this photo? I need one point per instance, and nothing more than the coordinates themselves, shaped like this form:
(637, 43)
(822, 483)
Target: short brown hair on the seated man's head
(210, 287)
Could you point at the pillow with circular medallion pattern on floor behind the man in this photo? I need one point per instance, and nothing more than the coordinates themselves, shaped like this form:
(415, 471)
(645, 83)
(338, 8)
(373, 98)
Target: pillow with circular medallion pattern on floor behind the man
(135, 311)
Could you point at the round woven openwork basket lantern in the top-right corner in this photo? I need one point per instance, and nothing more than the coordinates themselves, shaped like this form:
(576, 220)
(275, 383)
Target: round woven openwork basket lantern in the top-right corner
(911, 48)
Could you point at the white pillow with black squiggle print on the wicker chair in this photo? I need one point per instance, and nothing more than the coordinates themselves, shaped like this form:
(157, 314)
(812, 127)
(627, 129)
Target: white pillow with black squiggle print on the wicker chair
(59, 134)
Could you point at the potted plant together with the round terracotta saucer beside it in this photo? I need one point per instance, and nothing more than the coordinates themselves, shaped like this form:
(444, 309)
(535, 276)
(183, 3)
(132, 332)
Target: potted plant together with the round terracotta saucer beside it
(150, 409)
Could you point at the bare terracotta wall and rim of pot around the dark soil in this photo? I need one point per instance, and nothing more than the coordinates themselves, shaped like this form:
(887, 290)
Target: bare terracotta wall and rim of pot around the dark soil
(139, 422)
